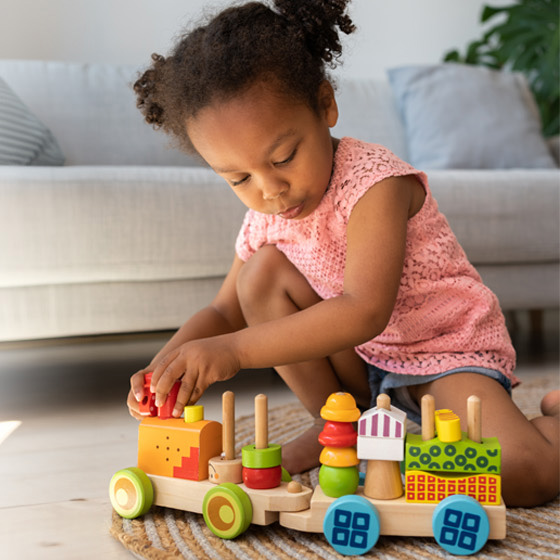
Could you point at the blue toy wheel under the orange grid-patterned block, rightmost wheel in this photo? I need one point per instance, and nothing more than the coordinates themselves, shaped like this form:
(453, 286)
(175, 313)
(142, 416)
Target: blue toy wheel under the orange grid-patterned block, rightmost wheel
(460, 525)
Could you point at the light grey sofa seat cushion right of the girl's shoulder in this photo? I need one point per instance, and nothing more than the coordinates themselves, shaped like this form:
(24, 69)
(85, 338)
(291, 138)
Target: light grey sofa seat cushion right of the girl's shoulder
(502, 217)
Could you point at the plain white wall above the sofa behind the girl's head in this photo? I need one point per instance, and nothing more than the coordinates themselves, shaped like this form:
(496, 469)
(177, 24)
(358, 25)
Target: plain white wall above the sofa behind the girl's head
(390, 32)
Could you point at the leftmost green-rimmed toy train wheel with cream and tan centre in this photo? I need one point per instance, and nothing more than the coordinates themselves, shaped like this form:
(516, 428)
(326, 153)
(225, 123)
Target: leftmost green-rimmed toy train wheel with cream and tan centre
(131, 492)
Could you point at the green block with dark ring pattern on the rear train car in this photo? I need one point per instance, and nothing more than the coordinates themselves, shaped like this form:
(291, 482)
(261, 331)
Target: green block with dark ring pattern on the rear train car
(463, 456)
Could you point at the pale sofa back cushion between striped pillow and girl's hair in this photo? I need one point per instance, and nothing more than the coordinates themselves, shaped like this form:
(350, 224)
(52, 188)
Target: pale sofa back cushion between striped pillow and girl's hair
(91, 110)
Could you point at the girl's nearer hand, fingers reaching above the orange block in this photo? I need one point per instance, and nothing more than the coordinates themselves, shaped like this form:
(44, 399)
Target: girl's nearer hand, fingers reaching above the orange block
(197, 364)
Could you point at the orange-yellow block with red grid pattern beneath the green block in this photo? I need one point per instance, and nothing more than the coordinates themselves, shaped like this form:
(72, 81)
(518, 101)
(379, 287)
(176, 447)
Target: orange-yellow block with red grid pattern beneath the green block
(432, 488)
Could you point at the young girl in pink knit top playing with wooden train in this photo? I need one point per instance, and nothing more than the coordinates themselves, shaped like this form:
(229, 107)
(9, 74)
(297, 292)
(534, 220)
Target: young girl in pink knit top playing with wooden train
(346, 276)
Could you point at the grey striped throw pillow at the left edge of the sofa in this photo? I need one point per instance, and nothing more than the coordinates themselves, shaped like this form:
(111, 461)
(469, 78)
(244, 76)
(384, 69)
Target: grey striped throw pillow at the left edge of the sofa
(24, 139)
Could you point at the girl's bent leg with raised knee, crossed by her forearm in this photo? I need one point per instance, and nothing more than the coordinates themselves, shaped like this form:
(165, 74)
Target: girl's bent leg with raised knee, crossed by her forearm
(270, 287)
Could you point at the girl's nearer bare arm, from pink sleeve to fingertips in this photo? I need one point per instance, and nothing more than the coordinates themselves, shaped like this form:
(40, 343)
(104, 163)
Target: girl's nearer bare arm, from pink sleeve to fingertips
(376, 239)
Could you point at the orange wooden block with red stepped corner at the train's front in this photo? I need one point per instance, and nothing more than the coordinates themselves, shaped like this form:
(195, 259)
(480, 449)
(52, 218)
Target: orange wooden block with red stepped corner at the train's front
(176, 449)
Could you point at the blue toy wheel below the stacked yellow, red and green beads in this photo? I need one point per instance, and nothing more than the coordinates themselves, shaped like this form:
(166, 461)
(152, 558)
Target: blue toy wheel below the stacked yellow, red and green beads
(351, 525)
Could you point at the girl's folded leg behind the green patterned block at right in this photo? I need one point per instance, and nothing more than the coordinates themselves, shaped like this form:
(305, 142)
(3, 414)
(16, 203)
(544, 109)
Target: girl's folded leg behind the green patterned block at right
(530, 449)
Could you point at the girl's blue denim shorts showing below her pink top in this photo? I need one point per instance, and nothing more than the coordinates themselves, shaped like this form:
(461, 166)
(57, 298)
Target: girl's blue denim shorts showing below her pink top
(396, 386)
